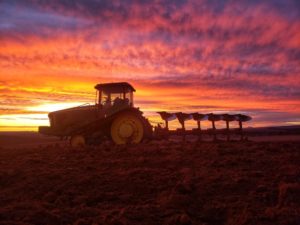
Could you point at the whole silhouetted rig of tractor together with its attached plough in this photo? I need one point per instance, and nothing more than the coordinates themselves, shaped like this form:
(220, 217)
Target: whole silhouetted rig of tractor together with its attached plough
(115, 117)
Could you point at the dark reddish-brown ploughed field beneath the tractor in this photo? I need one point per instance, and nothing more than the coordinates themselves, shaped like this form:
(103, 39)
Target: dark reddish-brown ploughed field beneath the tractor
(160, 182)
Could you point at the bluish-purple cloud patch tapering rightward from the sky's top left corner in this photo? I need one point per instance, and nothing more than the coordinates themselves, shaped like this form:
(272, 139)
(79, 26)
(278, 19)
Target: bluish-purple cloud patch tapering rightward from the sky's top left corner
(21, 20)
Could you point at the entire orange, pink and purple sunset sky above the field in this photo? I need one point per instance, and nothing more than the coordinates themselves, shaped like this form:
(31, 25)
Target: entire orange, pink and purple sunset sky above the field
(192, 56)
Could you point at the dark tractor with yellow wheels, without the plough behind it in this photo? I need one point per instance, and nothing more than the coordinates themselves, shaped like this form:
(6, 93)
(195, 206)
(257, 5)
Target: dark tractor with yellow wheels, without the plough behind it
(113, 116)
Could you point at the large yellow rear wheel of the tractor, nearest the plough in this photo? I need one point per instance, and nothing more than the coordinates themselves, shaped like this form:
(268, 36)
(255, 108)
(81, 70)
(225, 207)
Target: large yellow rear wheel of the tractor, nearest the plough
(127, 128)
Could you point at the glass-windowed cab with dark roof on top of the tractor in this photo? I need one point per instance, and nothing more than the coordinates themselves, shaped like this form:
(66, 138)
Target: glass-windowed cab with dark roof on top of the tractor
(112, 97)
